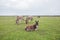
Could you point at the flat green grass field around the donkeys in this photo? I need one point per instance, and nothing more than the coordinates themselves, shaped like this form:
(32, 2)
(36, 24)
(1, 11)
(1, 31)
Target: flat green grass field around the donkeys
(49, 29)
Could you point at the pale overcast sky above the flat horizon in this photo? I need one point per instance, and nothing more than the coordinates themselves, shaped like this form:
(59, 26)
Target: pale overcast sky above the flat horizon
(29, 7)
